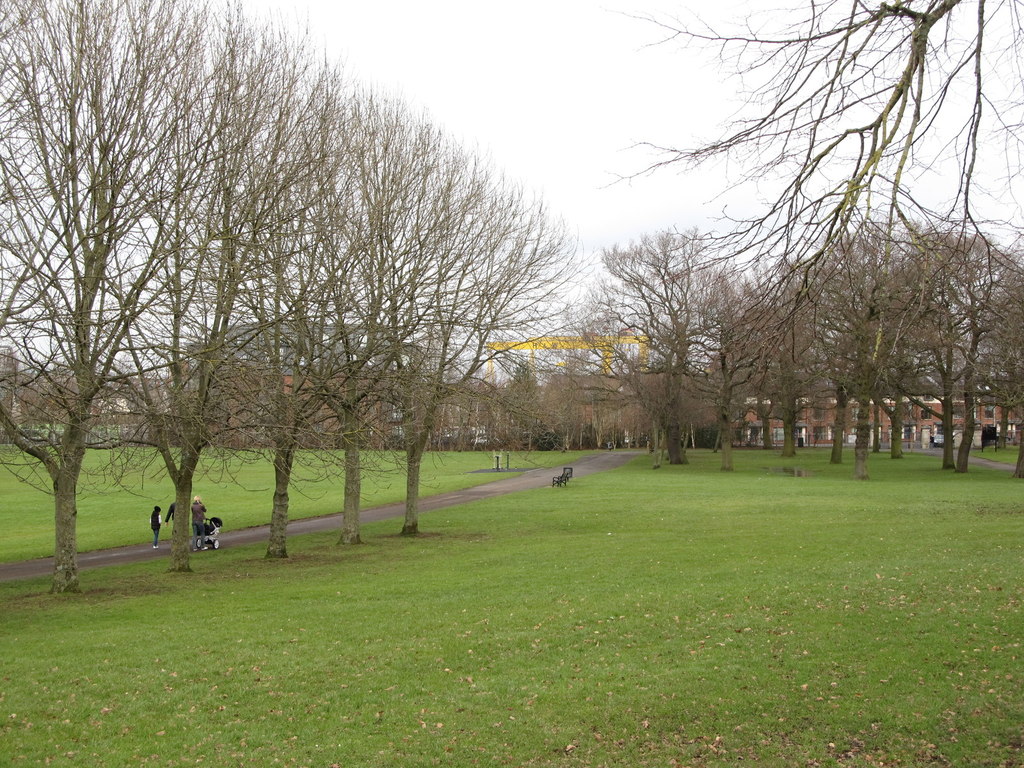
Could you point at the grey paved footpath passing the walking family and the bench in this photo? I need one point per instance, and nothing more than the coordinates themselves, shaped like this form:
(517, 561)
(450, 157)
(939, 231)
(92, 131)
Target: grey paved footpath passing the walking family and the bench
(534, 479)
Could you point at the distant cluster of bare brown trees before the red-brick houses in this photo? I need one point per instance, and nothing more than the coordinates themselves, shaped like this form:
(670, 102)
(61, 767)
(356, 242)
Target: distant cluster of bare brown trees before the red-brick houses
(933, 314)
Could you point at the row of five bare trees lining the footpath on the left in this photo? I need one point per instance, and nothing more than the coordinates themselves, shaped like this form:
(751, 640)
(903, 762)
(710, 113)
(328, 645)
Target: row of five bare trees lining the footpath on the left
(212, 234)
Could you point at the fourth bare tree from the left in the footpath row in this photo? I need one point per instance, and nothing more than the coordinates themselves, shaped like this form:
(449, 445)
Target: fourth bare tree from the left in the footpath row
(391, 151)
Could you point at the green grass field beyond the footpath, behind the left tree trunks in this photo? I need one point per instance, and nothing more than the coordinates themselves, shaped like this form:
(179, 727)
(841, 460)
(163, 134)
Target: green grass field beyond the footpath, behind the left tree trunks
(240, 492)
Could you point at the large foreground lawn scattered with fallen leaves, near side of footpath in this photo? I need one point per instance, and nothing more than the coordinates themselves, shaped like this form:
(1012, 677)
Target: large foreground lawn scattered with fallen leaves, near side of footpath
(673, 618)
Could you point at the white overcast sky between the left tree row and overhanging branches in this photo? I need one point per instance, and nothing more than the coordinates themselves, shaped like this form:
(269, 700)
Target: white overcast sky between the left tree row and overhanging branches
(559, 94)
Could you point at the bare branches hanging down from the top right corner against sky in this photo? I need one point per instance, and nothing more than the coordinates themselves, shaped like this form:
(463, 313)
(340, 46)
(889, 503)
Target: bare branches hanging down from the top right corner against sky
(857, 110)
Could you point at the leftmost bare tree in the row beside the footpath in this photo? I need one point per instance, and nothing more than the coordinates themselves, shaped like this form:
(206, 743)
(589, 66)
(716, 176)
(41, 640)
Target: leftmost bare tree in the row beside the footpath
(93, 93)
